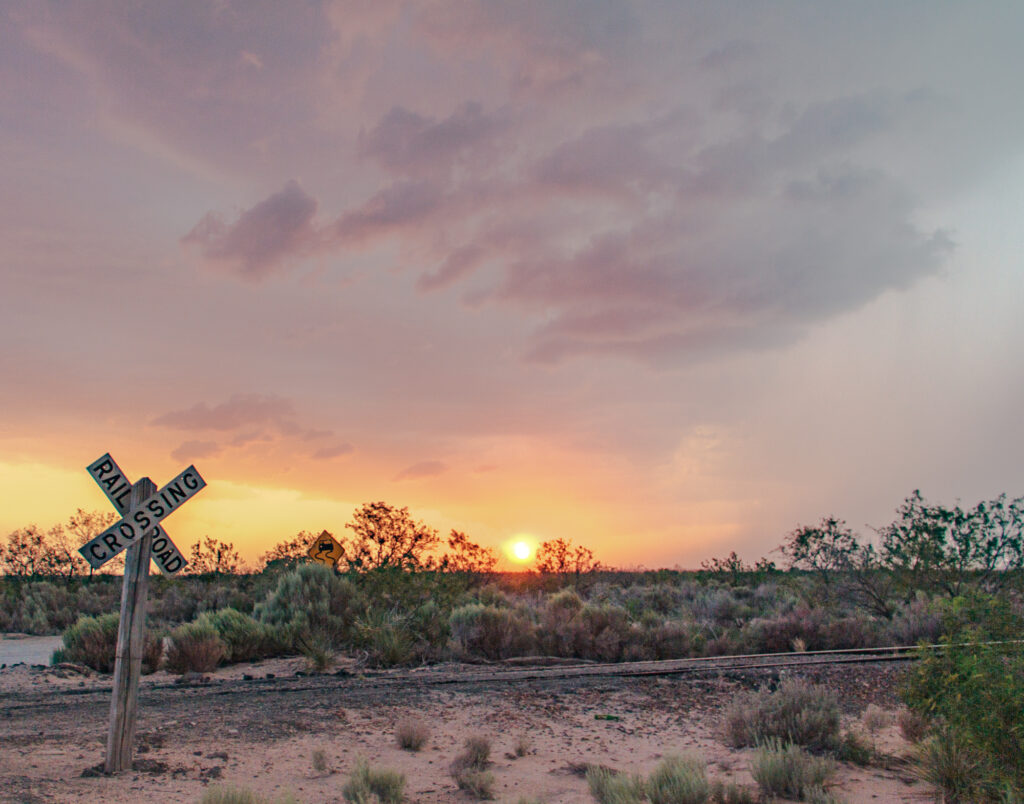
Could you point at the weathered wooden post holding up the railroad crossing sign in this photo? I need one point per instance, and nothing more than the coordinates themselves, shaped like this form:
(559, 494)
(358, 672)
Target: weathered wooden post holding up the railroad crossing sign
(132, 644)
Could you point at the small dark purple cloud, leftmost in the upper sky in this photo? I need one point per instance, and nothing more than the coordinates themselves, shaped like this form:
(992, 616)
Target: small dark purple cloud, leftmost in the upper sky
(263, 238)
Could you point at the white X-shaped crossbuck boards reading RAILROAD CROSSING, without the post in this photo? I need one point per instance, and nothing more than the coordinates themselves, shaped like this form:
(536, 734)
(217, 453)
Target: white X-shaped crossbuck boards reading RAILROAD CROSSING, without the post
(141, 519)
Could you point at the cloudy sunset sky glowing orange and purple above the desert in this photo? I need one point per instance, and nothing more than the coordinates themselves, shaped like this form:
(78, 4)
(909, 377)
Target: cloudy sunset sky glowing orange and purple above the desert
(664, 279)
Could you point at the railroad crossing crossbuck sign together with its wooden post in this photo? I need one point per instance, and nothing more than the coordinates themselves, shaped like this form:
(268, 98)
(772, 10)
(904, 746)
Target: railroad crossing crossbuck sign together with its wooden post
(141, 533)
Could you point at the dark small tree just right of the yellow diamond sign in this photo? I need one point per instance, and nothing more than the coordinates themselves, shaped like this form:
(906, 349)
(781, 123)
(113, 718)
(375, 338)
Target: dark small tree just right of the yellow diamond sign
(388, 538)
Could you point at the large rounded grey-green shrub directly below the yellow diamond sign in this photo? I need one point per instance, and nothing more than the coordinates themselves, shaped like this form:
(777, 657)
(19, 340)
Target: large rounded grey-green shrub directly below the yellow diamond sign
(310, 604)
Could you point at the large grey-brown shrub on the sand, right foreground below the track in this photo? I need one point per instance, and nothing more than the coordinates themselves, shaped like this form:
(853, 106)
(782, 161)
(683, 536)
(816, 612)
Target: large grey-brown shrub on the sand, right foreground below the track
(797, 712)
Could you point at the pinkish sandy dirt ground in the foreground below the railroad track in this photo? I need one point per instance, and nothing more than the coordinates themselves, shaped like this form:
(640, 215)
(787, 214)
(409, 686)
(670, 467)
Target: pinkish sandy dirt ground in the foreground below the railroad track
(243, 729)
